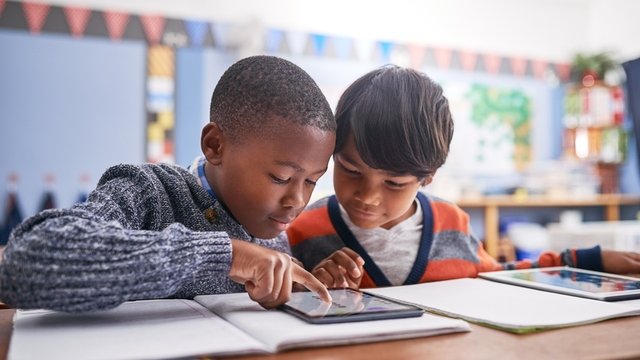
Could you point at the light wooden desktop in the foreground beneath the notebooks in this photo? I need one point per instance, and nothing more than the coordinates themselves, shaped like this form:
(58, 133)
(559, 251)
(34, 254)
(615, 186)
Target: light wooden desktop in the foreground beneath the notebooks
(605, 340)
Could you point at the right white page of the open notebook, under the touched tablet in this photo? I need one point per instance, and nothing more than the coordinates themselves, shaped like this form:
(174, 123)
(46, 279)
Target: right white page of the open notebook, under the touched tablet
(279, 330)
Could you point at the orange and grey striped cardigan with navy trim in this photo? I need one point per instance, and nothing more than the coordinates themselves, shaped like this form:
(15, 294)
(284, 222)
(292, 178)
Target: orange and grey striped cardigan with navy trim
(447, 250)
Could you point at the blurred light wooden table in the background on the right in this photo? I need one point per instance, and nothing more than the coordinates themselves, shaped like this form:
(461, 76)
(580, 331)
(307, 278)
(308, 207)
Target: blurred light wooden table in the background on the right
(492, 204)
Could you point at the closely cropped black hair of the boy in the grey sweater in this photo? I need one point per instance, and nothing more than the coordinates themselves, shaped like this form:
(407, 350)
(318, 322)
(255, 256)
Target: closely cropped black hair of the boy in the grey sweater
(258, 88)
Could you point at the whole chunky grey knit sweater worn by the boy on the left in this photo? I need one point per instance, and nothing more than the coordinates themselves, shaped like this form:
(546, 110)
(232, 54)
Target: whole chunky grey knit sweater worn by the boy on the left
(142, 234)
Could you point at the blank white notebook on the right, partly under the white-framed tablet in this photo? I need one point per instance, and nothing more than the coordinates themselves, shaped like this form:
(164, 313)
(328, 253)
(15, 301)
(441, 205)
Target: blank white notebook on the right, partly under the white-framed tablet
(506, 307)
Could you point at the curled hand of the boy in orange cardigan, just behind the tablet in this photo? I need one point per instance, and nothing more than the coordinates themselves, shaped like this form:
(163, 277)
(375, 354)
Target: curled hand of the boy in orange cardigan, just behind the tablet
(343, 268)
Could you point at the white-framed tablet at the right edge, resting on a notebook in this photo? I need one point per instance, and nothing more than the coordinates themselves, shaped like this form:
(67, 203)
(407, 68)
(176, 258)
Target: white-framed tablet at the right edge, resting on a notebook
(571, 281)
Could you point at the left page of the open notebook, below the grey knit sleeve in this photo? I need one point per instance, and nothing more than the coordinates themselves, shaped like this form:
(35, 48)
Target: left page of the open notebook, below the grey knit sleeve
(149, 329)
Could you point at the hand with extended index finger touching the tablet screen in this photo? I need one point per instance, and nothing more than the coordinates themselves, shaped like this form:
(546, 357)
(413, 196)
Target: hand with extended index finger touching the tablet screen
(268, 275)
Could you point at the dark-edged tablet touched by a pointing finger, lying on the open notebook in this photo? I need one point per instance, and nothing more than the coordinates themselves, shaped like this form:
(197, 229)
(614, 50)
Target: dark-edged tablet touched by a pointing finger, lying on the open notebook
(347, 305)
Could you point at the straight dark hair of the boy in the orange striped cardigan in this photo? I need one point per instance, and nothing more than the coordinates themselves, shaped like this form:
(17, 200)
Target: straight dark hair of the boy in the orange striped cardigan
(400, 121)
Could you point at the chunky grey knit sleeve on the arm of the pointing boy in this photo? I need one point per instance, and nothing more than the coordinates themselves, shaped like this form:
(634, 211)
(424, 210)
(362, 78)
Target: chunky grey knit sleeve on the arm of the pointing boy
(108, 250)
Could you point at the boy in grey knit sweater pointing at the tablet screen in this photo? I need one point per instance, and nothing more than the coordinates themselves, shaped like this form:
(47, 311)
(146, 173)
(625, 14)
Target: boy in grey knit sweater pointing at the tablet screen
(158, 231)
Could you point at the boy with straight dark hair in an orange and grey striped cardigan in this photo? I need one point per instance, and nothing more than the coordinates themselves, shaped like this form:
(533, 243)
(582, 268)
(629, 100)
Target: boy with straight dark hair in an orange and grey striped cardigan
(394, 131)
